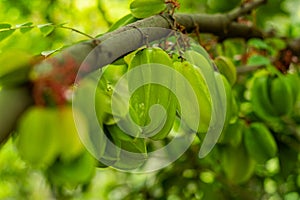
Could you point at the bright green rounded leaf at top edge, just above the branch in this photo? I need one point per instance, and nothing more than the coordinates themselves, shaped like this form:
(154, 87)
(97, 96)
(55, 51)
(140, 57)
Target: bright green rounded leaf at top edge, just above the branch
(146, 8)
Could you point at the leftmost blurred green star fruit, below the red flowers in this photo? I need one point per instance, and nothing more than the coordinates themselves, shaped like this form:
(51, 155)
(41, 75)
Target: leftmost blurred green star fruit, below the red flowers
(38, 142)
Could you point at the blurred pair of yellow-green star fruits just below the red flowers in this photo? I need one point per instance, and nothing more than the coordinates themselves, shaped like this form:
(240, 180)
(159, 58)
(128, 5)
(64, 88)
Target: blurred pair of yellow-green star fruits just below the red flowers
(46, 134)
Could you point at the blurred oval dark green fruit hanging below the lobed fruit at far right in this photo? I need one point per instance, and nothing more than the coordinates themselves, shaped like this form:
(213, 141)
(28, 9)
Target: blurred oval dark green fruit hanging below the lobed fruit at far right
(259, 142)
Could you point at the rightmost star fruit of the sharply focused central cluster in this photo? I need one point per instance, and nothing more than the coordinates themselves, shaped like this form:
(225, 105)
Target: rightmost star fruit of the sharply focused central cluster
(220, 95)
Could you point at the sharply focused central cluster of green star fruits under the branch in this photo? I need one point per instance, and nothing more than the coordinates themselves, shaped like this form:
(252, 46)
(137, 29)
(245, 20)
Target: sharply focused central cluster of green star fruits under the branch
(139, 124)
